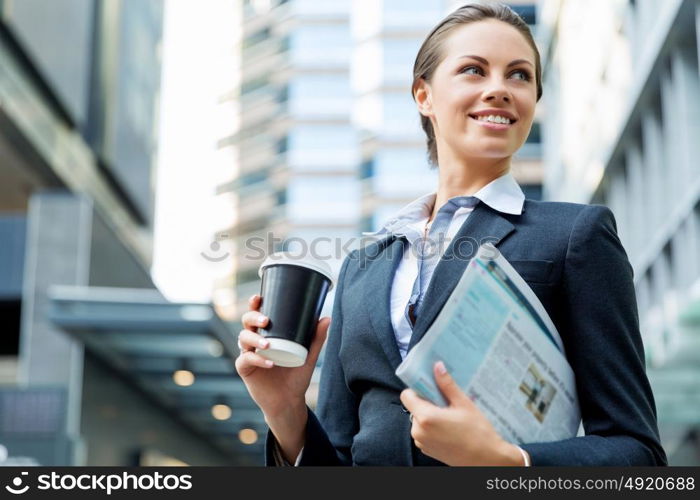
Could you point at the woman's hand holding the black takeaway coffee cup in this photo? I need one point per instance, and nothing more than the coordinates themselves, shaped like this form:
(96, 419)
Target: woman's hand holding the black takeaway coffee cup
(274, 389)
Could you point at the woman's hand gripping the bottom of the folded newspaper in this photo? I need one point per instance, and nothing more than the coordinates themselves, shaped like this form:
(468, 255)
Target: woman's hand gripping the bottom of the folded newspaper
(459, 434)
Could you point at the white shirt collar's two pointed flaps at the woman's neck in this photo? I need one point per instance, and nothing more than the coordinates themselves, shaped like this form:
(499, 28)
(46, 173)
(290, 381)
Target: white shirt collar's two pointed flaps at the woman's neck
(502, 194)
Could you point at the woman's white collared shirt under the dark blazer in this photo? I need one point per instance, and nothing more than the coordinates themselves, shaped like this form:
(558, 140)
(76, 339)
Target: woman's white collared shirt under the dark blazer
(502, 194)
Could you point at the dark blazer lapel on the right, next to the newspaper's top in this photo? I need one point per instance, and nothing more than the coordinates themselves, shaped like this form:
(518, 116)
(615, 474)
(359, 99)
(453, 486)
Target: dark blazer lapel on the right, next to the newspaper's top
(483, 225)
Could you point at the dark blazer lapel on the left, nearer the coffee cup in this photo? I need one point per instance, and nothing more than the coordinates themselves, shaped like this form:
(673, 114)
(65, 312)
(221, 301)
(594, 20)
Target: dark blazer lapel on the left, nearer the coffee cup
(380, 274)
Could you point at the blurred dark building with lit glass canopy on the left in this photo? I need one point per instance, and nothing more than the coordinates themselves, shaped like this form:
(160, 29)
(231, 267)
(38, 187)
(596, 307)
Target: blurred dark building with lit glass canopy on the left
(96, 367)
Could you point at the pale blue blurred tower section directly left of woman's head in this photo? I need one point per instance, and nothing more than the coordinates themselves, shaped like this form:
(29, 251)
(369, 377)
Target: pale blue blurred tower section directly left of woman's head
(394, 170)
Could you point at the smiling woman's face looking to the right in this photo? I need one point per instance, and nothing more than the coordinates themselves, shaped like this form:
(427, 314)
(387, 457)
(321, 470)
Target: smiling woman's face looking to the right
(488, 69)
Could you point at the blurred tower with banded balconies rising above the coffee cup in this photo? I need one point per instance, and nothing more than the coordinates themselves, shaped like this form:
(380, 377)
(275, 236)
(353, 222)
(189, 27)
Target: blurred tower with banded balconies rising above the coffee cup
(295, 150)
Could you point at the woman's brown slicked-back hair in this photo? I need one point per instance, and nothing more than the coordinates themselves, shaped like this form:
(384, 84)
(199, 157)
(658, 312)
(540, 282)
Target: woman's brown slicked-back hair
(430, 54)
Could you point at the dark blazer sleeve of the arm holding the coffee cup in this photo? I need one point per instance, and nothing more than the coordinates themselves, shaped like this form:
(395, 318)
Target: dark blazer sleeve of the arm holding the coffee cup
(329, 435)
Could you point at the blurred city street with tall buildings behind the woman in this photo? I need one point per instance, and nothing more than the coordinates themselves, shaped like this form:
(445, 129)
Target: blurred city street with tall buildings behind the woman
(144, 142)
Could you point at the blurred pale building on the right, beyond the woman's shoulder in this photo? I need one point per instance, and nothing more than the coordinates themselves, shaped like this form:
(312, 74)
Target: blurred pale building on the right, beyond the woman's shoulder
(621, 101)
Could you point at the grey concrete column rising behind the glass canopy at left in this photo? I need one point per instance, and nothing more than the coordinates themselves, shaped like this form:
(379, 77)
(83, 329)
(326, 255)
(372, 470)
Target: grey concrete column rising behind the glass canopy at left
(57, 253)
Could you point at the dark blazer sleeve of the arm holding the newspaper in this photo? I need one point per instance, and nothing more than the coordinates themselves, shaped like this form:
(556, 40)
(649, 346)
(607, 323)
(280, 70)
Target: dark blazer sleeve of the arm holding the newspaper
(604, 347)
